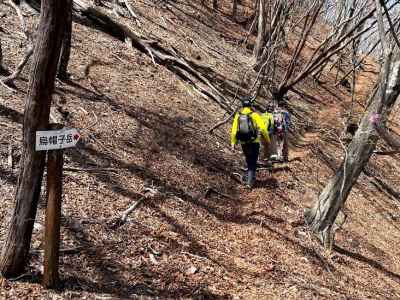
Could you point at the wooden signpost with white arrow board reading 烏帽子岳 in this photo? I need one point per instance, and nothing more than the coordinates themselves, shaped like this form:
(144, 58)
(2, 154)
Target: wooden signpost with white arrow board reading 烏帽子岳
(54, 141)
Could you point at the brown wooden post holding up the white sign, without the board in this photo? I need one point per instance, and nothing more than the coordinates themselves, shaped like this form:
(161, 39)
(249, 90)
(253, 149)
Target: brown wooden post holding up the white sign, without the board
(53, 216)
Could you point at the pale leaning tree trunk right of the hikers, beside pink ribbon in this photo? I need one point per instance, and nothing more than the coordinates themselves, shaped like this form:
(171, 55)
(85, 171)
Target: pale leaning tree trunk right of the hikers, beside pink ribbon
(322, 215)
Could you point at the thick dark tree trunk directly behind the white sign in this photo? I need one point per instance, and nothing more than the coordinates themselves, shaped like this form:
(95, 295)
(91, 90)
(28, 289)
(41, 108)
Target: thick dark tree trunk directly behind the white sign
(37, 108)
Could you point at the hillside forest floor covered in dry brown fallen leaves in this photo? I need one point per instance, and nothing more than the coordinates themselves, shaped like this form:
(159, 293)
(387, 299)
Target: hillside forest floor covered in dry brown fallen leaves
(143, 128)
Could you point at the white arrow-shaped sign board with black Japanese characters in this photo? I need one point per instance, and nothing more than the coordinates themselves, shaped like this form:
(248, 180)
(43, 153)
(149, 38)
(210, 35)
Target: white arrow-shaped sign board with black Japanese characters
(56, 139)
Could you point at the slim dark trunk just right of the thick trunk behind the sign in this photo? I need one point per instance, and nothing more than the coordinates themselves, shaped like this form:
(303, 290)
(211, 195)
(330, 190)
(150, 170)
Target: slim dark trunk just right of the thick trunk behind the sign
(66, 44)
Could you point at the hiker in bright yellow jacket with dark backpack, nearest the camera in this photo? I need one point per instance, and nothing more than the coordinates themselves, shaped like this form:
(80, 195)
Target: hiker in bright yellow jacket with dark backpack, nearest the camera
(247, 127)
